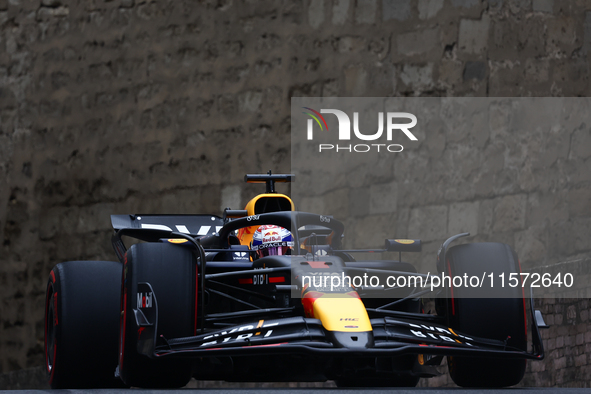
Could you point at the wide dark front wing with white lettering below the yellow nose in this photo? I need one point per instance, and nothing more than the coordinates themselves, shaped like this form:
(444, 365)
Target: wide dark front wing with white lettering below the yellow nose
(389, 336)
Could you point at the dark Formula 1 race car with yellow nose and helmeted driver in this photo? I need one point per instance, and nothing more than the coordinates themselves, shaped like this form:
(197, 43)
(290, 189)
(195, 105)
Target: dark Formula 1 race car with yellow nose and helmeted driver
(251, 296)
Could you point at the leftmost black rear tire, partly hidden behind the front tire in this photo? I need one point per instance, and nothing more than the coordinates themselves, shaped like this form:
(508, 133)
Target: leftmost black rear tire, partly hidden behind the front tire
(82, 324)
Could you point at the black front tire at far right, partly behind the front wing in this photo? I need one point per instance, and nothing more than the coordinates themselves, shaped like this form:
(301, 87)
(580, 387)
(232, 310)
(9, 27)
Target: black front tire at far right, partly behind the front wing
(493, 318)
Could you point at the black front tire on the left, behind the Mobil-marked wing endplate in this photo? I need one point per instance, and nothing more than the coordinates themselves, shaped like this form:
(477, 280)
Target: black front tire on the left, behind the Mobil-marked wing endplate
(171, 272)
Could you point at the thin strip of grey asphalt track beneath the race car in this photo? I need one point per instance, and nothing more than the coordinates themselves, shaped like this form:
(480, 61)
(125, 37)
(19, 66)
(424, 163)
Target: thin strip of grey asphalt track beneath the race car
(319, 391)
